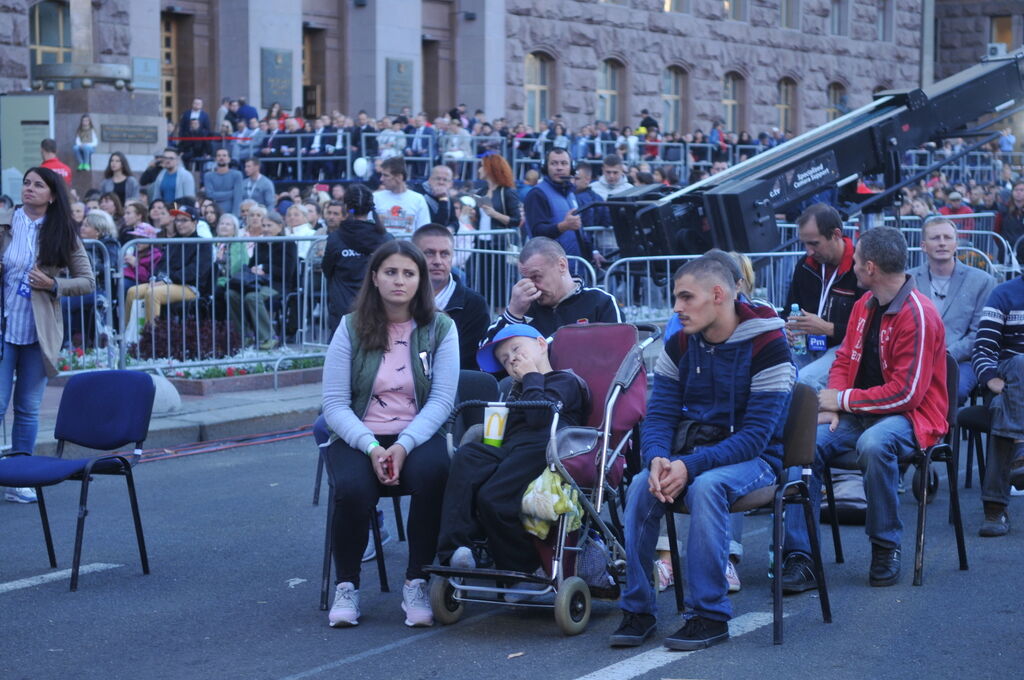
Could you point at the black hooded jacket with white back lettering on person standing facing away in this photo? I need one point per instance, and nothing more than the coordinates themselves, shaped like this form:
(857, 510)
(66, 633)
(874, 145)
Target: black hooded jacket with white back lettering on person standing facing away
(346, 259)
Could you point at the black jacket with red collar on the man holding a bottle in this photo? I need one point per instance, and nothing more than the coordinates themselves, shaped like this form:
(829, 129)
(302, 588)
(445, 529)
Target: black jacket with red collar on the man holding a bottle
(806, 291)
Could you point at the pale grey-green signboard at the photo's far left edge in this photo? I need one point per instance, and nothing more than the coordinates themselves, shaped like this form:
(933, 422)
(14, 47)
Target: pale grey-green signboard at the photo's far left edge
(25, 121)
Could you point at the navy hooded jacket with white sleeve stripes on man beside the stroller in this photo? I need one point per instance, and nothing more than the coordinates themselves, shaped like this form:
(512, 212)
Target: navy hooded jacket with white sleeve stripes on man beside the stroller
(743, 386)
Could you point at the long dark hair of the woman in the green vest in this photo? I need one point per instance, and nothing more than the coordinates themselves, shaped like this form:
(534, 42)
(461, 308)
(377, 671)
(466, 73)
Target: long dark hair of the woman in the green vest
(371, 320)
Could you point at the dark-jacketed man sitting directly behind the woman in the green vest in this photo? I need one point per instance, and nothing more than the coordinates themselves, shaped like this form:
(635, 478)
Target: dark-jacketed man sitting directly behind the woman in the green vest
(466, 308)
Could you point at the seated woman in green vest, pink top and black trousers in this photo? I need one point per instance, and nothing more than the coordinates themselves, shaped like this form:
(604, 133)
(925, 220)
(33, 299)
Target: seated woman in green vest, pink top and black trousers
(390, 386)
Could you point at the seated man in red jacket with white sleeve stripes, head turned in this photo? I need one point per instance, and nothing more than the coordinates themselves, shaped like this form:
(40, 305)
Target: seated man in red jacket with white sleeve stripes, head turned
(887, 394)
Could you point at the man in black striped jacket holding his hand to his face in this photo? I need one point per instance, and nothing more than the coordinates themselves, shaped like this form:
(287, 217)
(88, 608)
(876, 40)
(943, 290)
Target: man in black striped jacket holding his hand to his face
(548, 297)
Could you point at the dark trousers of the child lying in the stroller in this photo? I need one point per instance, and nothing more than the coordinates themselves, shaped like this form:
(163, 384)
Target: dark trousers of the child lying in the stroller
(484, 497)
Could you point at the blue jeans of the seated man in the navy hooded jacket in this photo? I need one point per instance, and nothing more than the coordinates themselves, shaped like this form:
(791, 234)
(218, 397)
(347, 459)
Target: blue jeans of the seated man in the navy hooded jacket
(708, 498)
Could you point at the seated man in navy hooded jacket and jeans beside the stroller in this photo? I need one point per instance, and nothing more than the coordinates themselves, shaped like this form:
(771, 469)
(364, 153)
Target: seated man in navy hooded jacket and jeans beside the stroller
(713, 434)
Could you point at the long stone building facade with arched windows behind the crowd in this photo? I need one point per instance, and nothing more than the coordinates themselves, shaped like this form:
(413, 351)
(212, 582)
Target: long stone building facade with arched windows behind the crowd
(756, 64)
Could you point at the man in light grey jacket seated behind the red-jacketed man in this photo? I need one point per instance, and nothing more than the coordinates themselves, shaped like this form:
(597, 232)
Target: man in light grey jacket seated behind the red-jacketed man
(959, 292)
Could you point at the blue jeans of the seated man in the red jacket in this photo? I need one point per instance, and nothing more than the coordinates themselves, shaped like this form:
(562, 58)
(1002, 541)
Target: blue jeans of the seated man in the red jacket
(880, 442)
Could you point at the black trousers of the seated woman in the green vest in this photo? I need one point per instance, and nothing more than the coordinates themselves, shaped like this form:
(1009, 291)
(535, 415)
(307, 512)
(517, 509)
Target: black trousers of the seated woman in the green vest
(357, 492)
